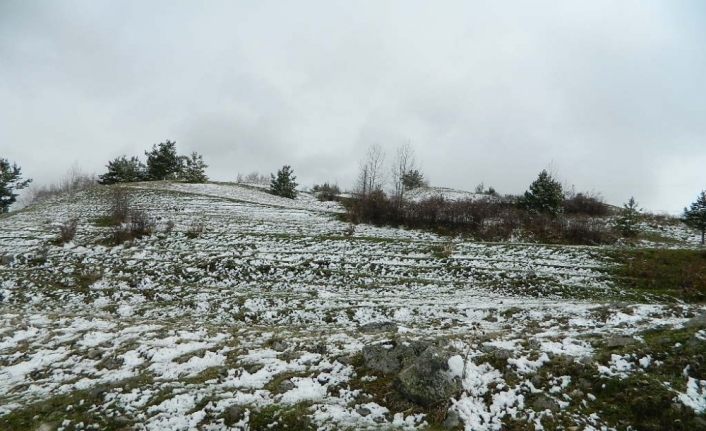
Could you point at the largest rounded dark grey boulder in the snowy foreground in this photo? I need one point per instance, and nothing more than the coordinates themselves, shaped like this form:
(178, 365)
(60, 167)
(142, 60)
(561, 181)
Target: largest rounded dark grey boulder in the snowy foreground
(427, 381)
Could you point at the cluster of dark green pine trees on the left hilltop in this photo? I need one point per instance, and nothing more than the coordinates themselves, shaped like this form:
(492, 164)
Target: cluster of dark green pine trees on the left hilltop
(163, 163)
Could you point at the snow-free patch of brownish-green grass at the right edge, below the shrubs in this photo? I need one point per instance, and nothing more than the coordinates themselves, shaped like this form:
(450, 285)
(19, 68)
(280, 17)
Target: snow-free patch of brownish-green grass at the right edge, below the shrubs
(677, 273)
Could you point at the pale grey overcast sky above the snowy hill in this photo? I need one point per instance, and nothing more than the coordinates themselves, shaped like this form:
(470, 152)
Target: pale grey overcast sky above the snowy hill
(611, 95)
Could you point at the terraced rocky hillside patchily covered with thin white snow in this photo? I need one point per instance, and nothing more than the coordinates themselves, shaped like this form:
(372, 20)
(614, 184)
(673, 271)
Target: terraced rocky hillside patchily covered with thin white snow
(247, 311)
